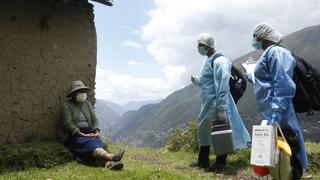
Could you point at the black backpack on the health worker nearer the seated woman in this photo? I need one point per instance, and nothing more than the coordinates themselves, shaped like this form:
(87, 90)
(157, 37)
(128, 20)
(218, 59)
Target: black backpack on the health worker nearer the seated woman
(237, 81)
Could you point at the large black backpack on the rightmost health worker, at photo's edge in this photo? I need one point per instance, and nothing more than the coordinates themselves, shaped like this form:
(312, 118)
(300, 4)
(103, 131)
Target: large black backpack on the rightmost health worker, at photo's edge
(307, 80)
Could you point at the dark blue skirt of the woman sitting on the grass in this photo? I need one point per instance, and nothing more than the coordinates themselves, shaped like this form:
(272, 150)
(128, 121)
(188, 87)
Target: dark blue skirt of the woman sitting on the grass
(82, 148)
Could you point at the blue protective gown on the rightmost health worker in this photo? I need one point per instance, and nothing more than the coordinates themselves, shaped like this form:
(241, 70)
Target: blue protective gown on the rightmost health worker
(274, 89)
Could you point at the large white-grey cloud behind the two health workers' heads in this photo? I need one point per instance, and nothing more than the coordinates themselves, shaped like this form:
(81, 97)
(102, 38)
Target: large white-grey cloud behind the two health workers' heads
(174, 26)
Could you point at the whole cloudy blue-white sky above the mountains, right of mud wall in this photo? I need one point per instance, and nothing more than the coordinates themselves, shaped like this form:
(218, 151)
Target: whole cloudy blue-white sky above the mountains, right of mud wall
(147, 48)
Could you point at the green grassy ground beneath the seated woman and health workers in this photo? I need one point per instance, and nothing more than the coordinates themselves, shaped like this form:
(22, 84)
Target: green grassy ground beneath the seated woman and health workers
(142, 163)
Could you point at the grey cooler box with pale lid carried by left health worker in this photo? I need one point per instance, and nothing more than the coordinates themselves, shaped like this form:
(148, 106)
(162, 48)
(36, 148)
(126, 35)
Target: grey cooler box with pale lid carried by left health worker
(223, 142)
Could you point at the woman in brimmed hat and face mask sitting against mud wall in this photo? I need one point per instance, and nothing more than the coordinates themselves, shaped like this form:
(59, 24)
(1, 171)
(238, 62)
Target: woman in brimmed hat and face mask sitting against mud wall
(80, 131)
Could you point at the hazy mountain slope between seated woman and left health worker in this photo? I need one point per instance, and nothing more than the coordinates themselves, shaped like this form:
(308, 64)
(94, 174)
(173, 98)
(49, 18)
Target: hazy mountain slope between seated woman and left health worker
(149, 125)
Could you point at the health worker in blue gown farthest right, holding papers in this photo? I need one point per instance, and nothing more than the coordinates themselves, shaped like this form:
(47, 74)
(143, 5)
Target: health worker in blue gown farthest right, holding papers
(274, 87)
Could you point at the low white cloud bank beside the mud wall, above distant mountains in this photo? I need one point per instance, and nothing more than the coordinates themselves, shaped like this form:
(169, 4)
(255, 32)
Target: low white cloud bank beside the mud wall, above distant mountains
(121, 88)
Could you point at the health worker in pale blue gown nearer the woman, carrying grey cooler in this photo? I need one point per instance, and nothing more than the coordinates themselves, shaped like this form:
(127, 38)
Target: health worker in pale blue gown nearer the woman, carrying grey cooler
(216, 103)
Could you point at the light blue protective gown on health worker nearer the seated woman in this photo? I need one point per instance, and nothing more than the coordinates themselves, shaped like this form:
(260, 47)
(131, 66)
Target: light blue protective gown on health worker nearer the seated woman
(215, 94)
